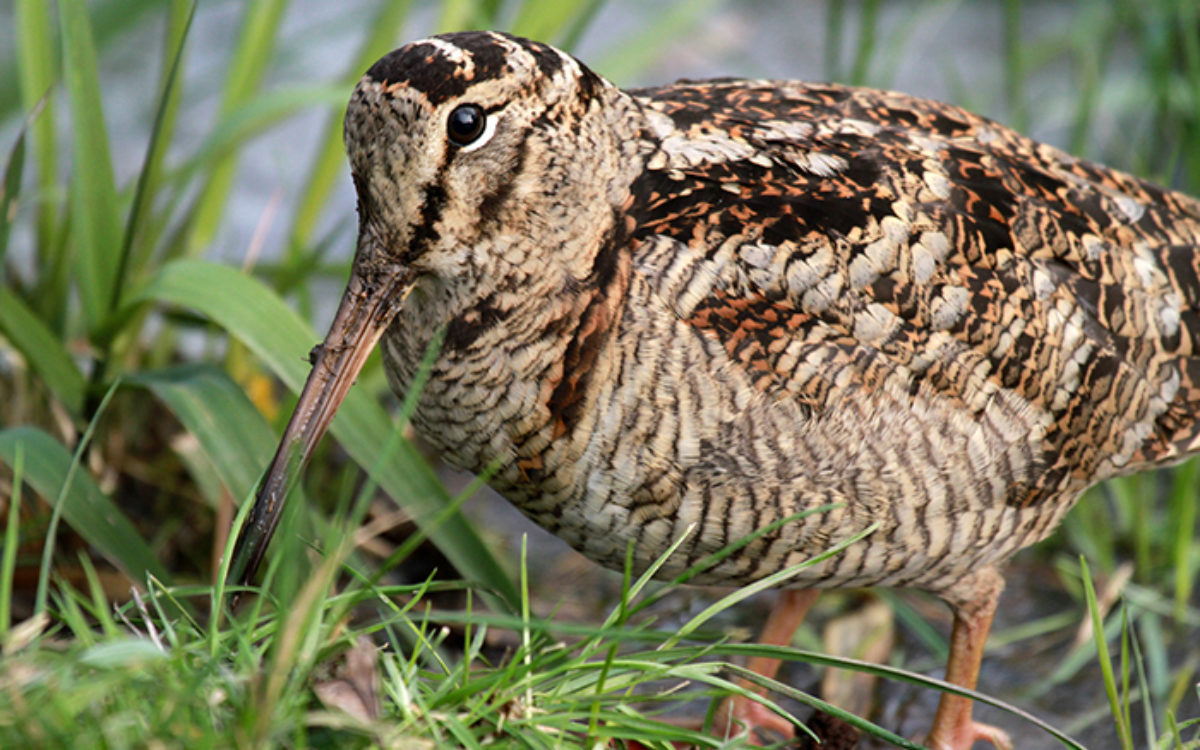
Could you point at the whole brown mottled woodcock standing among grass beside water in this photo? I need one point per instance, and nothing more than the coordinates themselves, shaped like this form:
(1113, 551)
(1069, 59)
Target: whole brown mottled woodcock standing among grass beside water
(724, 303)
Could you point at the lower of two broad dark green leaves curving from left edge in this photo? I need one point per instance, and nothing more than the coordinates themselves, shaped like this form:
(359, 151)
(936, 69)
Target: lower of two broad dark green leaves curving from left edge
(86, 509)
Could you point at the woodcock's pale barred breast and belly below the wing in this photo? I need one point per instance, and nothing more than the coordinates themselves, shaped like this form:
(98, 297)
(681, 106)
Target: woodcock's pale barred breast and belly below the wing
(671, 440)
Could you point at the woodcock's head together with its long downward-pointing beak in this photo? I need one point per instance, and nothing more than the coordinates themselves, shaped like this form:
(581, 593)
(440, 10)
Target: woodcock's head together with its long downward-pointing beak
(473, 154)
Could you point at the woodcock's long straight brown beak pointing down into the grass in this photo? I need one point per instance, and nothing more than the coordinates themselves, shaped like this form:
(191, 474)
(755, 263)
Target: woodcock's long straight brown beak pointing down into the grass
(371, 299)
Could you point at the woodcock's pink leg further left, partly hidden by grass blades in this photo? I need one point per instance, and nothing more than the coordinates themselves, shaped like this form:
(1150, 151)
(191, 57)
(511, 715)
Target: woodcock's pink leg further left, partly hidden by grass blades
(782, 625)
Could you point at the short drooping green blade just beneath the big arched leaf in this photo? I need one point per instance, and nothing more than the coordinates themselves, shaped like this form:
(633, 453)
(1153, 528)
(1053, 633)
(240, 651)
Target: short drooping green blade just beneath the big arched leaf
(215, 411)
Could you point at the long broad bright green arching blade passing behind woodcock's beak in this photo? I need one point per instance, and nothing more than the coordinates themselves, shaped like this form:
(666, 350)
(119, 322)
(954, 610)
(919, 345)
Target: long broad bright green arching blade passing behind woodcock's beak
(261, 321)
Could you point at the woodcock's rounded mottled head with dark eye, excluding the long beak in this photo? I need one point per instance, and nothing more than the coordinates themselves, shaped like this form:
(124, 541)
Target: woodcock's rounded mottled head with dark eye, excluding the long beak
(464, 142)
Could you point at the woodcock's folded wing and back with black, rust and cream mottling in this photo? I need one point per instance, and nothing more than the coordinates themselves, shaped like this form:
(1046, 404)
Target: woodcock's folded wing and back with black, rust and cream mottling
(835, 238)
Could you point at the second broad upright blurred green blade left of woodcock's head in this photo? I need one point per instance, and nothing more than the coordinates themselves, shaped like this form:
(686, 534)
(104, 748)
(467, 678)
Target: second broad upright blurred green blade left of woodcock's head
(248, 69)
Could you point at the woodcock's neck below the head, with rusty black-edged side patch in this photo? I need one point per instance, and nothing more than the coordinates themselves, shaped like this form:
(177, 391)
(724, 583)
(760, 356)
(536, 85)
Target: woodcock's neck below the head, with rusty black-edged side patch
(512, 375)
